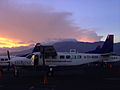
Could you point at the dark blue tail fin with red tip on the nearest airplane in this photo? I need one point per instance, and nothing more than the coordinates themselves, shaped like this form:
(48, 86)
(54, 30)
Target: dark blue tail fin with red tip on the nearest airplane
(107, 46)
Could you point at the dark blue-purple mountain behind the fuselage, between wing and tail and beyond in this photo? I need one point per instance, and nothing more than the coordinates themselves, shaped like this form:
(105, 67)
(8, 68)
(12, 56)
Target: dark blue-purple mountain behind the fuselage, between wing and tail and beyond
(82, 46)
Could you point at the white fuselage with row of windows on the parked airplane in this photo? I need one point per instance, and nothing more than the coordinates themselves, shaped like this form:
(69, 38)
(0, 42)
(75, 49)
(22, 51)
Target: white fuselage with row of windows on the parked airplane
(62, 59)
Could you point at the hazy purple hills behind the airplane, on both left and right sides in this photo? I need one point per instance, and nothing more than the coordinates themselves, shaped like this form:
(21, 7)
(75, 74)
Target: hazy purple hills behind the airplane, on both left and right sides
(67, 45)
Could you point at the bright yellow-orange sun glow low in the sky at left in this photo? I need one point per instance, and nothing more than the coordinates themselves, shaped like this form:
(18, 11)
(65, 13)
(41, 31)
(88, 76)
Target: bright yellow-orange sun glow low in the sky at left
(5, 42)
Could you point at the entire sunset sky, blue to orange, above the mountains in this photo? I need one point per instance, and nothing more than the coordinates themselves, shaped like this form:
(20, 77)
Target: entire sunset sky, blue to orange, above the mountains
(23, 22)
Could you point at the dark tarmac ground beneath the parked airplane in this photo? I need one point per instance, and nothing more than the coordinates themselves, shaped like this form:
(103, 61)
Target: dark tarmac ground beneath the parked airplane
(87, 78)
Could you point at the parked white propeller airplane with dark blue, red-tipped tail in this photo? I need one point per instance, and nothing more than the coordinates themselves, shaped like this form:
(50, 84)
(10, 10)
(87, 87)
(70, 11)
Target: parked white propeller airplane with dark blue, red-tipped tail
(45, 56)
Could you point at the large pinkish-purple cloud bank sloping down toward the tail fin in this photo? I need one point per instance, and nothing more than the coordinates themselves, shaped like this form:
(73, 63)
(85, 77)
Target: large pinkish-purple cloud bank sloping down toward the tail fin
(28, 20)
